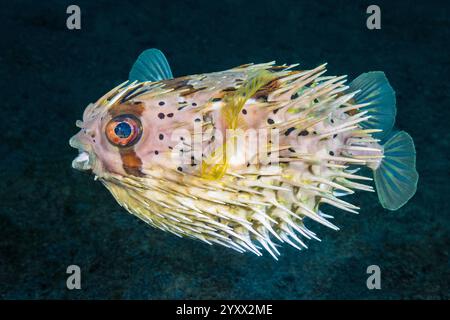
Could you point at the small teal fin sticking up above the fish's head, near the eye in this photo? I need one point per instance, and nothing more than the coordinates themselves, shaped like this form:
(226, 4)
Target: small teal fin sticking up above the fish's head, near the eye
(151, 65)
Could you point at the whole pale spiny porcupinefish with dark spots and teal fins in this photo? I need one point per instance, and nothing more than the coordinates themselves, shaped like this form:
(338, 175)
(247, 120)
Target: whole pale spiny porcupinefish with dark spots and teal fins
(244, 156)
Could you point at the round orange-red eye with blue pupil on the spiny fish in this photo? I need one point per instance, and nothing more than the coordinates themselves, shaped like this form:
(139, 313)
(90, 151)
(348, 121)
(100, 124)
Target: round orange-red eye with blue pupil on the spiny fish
(124, 130)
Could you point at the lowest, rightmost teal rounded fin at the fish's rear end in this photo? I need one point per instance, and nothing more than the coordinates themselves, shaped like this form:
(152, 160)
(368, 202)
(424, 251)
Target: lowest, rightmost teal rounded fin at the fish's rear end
(396, 177)
